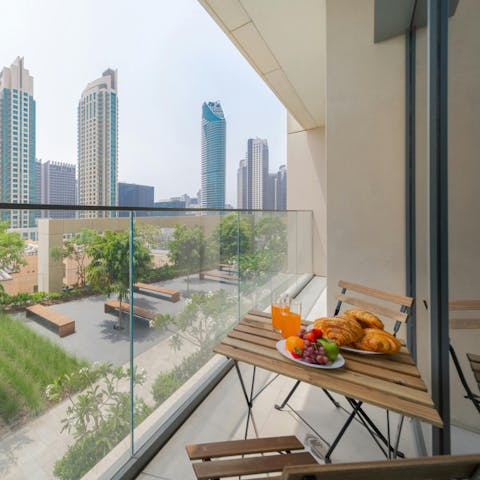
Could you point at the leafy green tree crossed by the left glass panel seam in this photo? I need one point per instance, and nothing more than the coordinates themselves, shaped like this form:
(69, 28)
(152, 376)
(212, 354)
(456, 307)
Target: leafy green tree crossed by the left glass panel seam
(109, 268)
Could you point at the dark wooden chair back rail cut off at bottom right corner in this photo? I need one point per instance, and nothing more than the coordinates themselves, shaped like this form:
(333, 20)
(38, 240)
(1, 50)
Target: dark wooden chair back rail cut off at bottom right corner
(445, 467)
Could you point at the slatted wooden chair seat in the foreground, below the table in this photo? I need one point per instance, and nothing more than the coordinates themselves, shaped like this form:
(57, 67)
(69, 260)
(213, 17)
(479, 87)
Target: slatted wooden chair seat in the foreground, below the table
(210, 459)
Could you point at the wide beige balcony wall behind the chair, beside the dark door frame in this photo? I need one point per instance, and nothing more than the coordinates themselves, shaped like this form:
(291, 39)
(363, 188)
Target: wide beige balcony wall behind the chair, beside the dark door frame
(365, 136)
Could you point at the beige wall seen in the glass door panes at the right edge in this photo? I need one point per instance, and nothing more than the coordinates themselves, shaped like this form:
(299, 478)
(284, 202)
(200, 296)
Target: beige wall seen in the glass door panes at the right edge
(464, 201)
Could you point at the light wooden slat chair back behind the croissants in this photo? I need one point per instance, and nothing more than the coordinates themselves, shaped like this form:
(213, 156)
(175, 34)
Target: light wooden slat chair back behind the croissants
(399, 312)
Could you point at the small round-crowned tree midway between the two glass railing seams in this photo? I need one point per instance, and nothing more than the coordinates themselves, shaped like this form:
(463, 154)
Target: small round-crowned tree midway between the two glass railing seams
(187, 250)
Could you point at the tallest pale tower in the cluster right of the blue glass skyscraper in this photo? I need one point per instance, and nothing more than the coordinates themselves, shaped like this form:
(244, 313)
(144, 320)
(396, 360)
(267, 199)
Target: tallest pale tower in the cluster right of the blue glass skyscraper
(257, 172)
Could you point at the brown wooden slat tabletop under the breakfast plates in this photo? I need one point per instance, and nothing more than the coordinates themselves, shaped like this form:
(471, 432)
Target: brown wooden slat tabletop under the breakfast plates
(390, 381)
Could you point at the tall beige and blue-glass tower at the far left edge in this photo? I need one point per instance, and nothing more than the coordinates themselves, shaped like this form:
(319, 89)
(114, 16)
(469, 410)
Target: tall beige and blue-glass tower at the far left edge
(17, 143)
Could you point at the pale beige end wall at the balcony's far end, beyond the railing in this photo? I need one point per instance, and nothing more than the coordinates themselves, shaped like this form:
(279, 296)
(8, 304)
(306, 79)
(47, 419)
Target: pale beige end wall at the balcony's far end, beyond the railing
(306, 187)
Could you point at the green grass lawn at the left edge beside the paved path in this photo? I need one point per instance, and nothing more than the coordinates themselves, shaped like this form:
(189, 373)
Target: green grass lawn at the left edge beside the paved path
(28, 363)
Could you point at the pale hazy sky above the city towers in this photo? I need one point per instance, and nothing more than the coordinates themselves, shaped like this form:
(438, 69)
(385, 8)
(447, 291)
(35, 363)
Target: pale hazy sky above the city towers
(170, 57)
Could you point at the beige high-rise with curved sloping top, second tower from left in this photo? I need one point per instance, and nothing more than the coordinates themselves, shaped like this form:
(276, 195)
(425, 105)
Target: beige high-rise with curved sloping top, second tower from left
(98, 143)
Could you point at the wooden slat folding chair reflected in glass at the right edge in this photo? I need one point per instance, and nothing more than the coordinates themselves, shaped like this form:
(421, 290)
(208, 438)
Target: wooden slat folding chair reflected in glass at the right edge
(461, 323)
